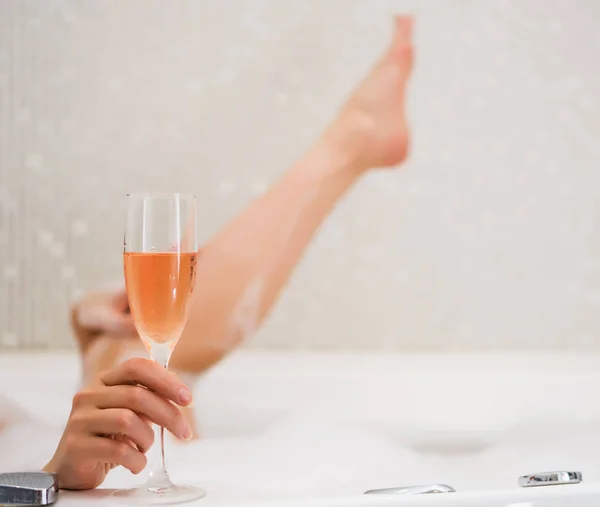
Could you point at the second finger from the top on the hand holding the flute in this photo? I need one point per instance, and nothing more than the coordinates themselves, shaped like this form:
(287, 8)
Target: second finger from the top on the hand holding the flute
(146, 403)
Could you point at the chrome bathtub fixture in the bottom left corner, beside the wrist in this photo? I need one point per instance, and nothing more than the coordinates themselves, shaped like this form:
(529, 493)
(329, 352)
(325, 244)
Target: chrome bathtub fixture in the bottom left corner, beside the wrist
(28, 488)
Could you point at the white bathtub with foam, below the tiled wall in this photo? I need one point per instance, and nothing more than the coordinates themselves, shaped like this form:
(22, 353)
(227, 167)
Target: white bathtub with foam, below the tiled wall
(320, 429)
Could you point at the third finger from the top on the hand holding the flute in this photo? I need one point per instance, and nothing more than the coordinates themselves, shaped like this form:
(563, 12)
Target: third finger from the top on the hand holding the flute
(122, 422)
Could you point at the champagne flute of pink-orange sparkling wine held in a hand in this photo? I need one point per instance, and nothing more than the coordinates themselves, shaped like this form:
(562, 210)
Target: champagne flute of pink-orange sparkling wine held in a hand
(160, 250)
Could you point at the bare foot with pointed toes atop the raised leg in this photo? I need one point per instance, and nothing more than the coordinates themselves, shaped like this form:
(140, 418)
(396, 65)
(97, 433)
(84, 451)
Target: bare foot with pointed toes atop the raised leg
(373, 120)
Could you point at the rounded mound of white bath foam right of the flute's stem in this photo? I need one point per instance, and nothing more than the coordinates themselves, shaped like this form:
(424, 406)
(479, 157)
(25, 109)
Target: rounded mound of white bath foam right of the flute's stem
(307, 454)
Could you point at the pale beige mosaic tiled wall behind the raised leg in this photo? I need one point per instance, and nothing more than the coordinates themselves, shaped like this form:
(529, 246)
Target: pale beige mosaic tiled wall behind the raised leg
(488, 238)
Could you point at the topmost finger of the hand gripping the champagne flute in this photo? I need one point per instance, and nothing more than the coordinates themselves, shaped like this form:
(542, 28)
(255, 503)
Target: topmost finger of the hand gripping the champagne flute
(150, 375)
